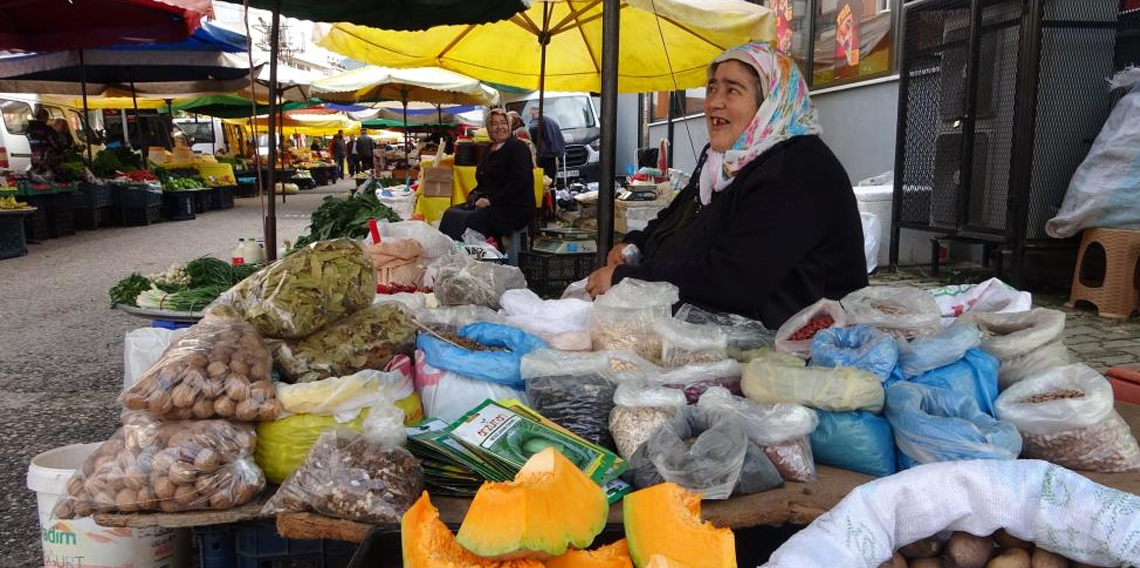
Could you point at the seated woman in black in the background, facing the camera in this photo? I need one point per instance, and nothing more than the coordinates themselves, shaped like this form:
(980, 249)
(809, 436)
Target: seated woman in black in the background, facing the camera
(503, 200)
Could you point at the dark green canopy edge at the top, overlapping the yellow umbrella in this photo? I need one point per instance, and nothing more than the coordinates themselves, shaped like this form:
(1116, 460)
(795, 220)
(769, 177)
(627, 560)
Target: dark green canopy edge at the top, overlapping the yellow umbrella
(396, 14)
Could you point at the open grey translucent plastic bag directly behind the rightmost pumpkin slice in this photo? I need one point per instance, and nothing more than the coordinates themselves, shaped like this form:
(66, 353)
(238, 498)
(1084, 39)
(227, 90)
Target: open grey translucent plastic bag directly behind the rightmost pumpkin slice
(704, 455)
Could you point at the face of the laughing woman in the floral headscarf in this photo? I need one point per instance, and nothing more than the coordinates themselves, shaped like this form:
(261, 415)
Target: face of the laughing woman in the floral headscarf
(731, 102)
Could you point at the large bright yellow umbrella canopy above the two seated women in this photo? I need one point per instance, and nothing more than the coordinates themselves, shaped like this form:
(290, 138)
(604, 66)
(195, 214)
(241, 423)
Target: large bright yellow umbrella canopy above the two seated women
(665, 45)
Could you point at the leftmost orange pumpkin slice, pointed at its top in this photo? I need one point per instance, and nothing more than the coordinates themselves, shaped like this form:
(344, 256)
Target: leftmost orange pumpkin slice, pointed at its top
(428, 543)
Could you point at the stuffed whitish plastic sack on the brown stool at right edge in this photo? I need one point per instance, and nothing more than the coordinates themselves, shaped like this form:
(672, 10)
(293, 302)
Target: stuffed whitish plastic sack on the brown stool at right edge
(1105, 191)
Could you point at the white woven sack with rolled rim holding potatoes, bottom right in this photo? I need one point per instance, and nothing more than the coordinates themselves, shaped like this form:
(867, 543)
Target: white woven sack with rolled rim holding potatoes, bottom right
(1060, 510)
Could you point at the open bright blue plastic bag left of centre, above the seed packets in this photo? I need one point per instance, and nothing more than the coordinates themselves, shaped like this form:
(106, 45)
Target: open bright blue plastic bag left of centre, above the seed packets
(493, 367)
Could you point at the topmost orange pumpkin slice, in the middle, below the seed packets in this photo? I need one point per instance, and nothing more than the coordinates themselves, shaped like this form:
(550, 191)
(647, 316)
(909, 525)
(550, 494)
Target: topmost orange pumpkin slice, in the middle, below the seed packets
(551, 507)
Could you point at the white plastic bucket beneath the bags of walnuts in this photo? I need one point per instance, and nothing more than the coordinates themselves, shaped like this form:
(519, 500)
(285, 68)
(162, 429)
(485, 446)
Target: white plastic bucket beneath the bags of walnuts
(82, 542)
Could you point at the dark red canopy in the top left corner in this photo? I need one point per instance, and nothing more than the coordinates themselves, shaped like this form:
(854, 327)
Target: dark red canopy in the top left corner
(58, 26)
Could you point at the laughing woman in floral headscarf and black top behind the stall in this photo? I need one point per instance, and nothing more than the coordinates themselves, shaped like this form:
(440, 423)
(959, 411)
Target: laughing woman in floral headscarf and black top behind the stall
(769, 224)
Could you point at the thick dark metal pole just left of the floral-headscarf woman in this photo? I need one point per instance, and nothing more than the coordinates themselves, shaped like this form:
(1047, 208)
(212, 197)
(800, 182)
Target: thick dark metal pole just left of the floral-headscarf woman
(612, 26)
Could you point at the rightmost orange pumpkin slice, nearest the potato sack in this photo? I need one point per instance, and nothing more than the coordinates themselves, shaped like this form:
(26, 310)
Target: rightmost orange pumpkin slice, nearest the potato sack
(666, 520)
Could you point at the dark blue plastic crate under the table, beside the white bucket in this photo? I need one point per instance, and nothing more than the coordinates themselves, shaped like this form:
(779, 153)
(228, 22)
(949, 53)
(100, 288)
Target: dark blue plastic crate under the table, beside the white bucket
(257, 545)
